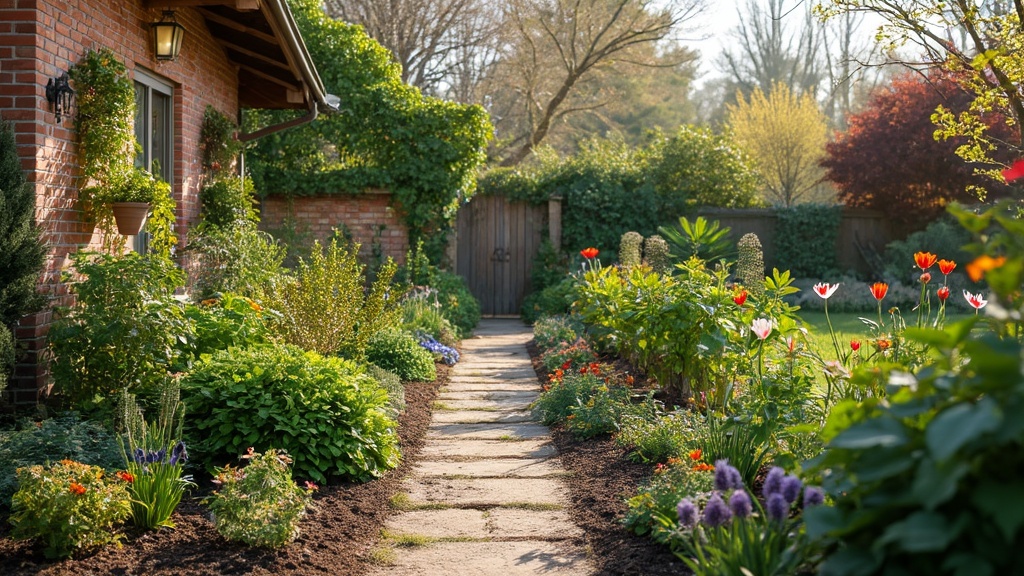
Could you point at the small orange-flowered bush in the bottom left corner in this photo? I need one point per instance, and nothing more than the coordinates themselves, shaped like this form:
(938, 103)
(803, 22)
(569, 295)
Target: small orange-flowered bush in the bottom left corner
(68, 507)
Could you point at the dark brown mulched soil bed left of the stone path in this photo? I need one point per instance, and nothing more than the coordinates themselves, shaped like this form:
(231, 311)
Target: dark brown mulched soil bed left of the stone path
(335, 540)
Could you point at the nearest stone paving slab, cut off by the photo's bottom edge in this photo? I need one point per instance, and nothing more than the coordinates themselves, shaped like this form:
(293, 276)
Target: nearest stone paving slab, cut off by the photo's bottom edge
(529, 558)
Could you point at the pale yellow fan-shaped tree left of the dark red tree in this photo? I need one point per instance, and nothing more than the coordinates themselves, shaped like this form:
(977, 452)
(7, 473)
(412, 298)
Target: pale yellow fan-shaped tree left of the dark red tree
(786, 135)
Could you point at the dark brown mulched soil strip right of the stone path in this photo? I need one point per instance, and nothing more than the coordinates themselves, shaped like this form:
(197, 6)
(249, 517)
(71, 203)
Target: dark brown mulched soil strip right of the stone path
(602, 477)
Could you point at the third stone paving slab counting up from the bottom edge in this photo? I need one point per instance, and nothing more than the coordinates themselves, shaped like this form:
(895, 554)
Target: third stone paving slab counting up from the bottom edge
(487, 491)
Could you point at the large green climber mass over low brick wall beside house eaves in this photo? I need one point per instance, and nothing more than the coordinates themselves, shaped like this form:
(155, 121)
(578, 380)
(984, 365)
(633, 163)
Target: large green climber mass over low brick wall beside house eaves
(424, 150)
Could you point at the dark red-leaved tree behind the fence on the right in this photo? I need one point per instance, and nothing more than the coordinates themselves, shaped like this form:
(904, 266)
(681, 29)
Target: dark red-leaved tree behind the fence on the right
(889, 159)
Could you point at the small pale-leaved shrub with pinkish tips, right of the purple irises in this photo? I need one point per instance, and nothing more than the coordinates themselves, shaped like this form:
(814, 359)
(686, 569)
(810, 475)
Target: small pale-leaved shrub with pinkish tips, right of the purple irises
(260, 505)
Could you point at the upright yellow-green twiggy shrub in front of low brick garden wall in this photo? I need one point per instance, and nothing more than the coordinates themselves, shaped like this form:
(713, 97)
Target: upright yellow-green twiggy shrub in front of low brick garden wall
(325, 308)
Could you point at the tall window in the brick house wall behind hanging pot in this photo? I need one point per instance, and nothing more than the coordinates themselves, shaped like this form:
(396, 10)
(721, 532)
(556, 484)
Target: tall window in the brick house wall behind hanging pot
(154, 131)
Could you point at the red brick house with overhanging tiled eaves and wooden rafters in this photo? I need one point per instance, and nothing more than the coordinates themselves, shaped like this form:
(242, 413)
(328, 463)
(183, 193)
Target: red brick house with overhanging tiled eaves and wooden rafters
(236, 54)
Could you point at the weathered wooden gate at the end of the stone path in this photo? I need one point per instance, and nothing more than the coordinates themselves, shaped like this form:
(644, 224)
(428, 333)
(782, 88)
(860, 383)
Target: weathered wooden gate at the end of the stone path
(497, 242)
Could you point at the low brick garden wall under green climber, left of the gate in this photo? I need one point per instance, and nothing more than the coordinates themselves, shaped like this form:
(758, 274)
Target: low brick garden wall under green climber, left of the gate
(369, 218)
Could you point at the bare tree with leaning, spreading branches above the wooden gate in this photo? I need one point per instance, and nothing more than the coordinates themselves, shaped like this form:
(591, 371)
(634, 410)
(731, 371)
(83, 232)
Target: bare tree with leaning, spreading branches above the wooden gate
(556, 48)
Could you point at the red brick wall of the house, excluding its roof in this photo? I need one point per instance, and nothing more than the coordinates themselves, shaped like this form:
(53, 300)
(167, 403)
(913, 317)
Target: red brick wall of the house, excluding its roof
(40, 39)
